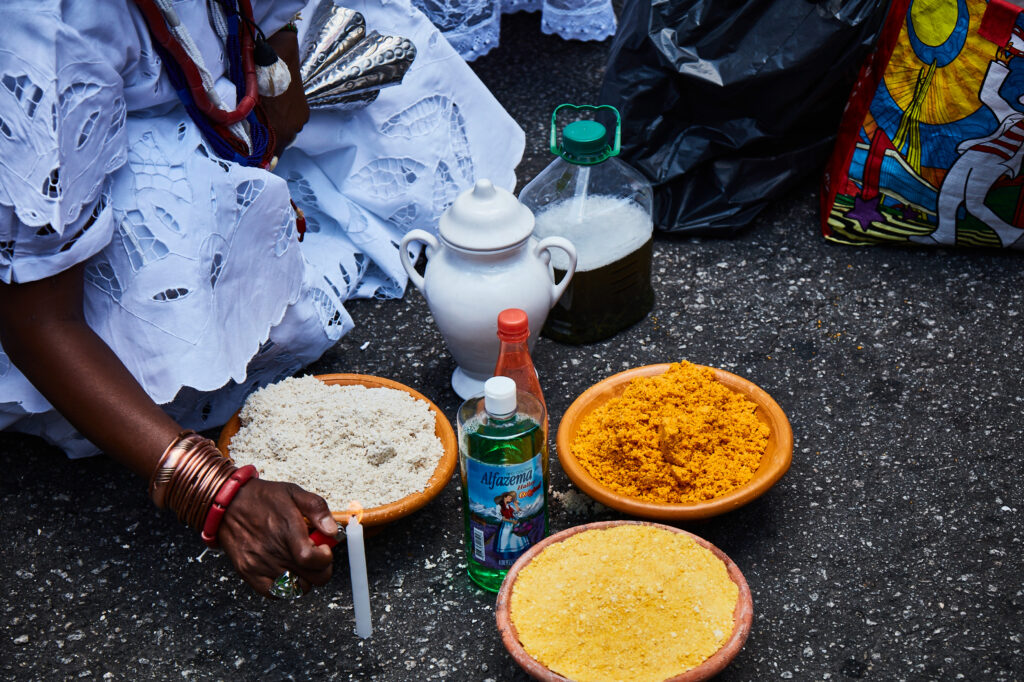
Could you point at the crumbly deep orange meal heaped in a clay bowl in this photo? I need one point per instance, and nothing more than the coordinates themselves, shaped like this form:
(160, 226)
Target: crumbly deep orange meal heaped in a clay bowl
(681, 437)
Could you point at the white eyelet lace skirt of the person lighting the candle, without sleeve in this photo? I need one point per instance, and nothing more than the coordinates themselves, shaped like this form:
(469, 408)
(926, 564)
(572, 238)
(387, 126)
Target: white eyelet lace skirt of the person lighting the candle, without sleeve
(203, 289)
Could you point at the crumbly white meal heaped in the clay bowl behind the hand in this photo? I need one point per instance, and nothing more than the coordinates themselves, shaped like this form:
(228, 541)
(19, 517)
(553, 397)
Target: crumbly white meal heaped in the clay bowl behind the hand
(375, 446)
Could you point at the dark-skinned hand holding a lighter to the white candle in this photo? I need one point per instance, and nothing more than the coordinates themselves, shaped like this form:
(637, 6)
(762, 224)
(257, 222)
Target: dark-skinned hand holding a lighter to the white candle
(265, 534)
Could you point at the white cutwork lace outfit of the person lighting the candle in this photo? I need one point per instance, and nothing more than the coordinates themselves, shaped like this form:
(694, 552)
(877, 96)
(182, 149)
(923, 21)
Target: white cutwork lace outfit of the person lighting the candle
(195, 276)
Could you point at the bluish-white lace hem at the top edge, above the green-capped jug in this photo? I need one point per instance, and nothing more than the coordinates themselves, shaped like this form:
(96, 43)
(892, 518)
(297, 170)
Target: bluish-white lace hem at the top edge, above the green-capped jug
(474, 27)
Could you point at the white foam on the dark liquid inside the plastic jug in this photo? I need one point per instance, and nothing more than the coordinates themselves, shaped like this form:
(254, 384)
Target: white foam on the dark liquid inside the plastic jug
(607, 230)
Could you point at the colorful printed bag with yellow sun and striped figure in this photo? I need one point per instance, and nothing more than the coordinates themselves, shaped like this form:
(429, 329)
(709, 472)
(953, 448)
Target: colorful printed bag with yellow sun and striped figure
(930, 147)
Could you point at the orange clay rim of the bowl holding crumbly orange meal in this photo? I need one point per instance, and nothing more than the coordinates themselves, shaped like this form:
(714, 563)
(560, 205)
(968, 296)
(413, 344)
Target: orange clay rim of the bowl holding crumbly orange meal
(775, 463)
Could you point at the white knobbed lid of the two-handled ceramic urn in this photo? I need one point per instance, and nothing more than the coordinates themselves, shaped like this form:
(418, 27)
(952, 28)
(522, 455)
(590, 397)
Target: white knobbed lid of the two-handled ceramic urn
(486, 219)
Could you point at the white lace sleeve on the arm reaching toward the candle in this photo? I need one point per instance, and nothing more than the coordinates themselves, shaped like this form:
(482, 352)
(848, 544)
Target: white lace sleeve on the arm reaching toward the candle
(62, 137)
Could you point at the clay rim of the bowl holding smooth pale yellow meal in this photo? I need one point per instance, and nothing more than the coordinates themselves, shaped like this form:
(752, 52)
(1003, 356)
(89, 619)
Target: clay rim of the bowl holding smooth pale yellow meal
(743, 615)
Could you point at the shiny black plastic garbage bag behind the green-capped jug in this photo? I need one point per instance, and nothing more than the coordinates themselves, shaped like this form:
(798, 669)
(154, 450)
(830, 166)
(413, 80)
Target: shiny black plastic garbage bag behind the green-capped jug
(728, 105)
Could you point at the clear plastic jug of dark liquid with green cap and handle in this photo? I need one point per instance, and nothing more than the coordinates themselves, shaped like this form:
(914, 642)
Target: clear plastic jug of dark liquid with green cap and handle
(604, 207)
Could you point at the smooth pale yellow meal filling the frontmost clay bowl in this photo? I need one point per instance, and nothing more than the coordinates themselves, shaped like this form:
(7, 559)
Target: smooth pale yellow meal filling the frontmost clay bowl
(630, 603)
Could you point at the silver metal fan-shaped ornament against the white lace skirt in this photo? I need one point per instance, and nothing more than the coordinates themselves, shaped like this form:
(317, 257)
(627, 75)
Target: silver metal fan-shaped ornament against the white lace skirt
(346, 67)
